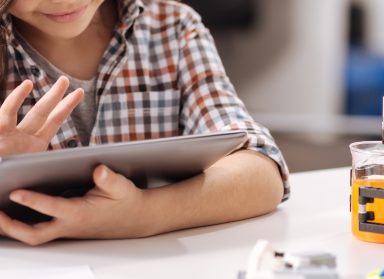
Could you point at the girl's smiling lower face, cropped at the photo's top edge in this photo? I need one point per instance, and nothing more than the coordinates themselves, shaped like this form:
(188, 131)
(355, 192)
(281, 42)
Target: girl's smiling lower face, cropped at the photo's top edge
(56, 18)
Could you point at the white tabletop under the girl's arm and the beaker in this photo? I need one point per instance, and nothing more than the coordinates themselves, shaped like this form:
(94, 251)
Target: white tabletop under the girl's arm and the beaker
(316, 217)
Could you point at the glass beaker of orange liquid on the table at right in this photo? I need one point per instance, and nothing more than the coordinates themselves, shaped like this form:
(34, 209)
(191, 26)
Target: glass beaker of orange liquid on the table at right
(367, 193)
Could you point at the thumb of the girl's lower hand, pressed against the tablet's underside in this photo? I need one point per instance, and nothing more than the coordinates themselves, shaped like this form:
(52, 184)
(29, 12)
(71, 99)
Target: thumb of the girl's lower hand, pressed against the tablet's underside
(113, 185)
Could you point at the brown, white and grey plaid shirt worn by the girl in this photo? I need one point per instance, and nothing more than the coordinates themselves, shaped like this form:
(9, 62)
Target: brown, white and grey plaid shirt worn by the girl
(161, 76)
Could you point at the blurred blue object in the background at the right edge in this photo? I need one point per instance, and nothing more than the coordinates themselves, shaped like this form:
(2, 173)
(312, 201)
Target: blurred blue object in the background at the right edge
(364, 76)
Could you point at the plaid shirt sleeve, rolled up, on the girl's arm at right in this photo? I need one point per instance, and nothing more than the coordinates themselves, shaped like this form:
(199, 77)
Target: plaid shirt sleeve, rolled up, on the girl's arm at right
(209, 101)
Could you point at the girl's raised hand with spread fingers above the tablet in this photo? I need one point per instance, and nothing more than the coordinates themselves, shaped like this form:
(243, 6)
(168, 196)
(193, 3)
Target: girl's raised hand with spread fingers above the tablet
(41, 123)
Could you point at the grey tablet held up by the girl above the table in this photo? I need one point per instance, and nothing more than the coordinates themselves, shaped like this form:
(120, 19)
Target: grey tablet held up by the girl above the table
(68, 172)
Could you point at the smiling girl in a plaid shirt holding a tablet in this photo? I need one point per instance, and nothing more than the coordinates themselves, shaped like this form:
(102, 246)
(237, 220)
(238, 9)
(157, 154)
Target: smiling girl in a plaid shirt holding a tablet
(149, 69)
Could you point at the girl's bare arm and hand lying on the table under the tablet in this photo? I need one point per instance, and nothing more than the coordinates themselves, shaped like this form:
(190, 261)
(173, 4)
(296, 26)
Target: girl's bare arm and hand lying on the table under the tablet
(242, 185)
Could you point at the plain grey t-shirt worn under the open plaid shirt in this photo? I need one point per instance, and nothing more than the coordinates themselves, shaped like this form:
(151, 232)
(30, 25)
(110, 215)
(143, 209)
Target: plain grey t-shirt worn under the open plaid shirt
(84, 114)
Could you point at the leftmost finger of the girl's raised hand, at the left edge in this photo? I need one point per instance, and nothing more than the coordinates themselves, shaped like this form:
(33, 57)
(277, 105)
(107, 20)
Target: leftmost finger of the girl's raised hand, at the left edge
(11, 105)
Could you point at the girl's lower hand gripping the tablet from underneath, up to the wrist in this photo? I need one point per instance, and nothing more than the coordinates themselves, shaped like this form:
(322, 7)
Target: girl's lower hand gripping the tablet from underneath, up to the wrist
(111, 210)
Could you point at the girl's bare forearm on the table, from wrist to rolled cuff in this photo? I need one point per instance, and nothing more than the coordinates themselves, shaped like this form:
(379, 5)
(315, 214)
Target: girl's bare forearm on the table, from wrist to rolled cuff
(242, 185)
